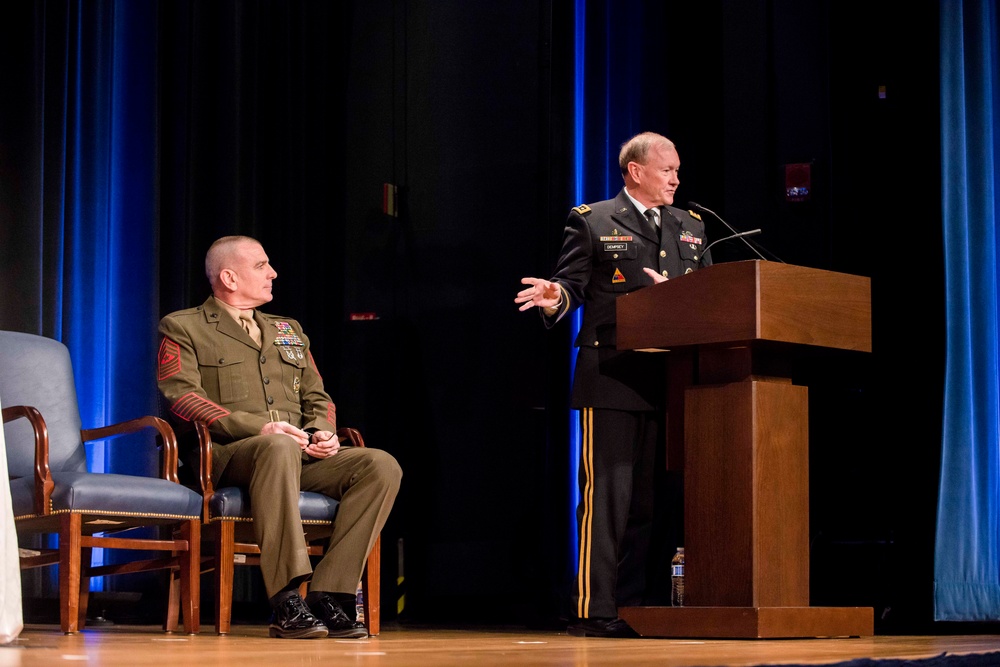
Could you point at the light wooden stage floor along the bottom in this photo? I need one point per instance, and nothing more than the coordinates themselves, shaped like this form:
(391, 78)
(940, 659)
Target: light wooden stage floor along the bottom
(443, 647)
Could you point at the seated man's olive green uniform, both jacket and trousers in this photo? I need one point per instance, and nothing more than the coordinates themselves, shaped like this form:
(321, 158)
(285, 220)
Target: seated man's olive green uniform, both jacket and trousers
(209, 369)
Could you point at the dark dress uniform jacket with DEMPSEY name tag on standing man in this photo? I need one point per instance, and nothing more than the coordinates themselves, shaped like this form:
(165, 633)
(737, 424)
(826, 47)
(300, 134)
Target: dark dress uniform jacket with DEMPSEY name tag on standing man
(606, 245)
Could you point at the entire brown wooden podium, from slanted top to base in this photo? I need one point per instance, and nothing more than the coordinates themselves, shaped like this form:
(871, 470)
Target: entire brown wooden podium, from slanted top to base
(733, 330)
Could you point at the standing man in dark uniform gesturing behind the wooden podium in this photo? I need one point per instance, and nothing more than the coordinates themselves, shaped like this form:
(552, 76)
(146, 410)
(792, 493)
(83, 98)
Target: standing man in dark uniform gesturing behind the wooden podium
(611, 248)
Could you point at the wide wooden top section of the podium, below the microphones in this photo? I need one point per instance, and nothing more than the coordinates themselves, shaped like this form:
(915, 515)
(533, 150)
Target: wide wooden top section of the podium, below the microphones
(747, 301)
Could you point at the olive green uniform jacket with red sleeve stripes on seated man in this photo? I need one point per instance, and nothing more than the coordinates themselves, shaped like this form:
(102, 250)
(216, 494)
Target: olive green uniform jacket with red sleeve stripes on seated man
(210, 370)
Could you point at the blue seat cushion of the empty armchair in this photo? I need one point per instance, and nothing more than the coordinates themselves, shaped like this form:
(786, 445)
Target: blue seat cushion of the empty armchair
(103, 493)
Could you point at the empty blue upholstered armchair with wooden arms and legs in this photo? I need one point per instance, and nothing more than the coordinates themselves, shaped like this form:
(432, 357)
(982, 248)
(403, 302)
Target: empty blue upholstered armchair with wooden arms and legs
(52, 491)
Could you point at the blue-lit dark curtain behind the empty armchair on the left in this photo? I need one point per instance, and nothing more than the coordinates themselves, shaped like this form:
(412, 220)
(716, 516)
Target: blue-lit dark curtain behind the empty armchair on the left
(82, 227)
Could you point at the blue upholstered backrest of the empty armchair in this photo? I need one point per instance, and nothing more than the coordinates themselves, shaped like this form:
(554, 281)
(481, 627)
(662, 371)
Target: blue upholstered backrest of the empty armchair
(36, 371)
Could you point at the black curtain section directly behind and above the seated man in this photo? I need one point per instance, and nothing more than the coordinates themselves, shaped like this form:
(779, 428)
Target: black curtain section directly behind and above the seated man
(252, 140)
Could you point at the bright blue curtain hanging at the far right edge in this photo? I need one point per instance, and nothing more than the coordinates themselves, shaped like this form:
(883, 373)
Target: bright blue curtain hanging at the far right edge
(967, 561)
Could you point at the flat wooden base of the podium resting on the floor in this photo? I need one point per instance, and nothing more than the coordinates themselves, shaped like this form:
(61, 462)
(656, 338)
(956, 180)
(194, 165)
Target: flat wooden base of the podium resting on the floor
(750, 622)
